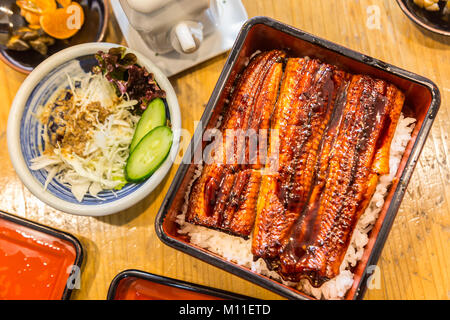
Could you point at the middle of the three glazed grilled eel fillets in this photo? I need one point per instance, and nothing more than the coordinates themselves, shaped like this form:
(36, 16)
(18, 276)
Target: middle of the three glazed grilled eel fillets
(302, 112)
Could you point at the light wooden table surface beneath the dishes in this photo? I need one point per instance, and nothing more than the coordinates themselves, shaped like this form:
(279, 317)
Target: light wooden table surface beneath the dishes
(415, 262)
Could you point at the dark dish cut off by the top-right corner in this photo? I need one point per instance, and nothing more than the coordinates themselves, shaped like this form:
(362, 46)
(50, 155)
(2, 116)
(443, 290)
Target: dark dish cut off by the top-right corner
(431, 20)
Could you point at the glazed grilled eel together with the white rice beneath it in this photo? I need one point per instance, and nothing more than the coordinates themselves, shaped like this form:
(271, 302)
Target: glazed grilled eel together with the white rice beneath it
(300, 209)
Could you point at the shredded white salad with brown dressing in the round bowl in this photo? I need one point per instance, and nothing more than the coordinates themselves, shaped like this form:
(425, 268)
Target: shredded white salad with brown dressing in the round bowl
(97, 161)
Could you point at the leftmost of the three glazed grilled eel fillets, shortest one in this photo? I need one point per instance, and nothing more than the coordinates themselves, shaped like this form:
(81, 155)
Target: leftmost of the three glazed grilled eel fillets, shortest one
(224, 196)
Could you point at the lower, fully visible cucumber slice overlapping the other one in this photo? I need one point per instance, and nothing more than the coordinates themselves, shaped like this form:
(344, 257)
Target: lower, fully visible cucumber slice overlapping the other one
(148, 155)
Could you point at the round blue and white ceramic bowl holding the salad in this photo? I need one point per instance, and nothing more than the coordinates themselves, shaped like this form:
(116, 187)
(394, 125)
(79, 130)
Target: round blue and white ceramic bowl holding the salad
(24, 132)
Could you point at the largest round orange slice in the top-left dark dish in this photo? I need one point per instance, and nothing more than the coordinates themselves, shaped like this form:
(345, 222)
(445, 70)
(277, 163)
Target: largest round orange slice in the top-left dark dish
(63, 23)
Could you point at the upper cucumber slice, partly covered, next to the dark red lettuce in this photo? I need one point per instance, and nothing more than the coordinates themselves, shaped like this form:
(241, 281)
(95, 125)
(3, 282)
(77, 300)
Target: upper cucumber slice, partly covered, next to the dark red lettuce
(154, 116)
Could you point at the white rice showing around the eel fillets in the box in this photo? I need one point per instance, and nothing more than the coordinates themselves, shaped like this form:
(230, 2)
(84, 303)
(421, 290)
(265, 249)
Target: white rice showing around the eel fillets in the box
(238, 250)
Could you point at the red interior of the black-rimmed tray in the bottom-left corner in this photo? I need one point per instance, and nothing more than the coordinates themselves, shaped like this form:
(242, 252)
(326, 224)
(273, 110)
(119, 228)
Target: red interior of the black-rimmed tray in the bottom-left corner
(34, 265)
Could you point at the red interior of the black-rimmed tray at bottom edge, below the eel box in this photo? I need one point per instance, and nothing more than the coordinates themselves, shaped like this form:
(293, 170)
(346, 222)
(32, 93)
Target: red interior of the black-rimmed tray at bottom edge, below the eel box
(133, 288)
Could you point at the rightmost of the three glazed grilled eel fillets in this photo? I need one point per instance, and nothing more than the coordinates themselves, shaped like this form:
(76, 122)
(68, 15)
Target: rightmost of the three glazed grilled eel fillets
(355, 151)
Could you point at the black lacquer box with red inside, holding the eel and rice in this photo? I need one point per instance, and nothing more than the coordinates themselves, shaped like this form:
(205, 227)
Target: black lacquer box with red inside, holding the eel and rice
(262, 33)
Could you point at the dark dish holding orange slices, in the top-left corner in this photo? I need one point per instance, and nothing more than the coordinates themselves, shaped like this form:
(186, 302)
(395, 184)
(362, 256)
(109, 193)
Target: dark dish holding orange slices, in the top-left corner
(93, 30)
